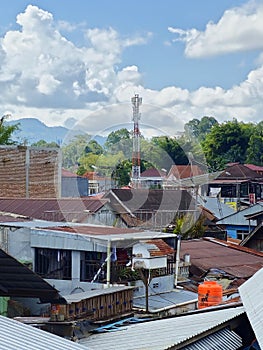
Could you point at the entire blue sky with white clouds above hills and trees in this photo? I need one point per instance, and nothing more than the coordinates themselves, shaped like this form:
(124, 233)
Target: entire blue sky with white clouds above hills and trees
(64, 61)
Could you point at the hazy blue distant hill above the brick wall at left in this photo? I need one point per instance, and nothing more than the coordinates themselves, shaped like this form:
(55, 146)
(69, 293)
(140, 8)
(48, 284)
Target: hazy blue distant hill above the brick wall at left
(32, 130)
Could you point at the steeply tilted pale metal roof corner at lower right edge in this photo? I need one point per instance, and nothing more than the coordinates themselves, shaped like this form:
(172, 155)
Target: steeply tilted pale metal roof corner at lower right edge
(251, 293)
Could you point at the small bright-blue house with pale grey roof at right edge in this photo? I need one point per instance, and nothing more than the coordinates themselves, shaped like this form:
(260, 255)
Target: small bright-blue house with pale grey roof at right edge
(237, 225)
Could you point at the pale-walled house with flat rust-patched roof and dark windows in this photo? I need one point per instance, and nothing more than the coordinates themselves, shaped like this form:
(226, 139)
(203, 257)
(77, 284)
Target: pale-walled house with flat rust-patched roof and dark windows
(72, 256)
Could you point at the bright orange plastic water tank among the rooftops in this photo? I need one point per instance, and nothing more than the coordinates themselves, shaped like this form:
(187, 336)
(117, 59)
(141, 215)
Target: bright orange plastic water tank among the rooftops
(209, 294)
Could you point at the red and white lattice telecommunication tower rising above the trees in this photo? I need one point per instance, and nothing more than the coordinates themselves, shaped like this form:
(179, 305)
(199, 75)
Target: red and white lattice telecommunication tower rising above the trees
(136, 157)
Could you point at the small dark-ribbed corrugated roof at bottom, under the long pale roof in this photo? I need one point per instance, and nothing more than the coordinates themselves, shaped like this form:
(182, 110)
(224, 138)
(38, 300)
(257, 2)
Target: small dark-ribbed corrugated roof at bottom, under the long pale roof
(223, 339)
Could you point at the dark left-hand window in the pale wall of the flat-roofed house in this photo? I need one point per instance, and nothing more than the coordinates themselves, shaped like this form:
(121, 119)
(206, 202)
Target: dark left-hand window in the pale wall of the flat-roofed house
(53, 263)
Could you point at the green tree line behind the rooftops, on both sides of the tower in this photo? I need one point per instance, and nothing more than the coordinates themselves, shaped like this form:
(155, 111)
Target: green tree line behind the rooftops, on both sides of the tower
(204, 141)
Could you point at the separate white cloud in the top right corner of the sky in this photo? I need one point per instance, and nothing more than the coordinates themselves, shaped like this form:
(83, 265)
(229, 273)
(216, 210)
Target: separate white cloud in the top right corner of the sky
(239, 29)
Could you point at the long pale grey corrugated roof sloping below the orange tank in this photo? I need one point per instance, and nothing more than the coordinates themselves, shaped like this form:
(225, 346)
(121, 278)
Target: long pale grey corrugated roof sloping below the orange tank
(161, 334)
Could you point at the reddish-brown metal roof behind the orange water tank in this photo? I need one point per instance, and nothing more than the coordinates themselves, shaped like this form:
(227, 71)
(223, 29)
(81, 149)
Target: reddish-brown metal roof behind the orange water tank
(211, 253)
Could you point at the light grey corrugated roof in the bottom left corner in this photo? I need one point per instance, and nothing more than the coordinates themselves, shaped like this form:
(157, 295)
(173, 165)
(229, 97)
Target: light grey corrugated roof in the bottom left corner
(15, 335)
